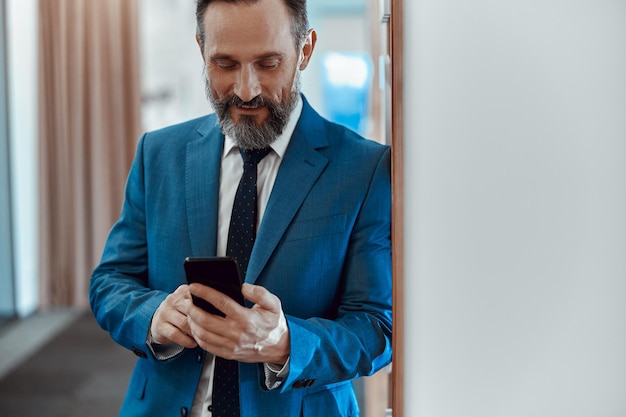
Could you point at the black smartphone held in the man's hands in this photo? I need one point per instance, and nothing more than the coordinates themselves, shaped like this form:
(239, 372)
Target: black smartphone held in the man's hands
(220, 273)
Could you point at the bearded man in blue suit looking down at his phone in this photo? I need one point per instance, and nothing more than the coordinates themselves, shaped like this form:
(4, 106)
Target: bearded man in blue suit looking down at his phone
(318, 268)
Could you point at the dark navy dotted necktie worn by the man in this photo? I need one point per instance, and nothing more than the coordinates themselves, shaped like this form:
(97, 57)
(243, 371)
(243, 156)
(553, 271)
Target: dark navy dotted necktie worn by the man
(241, 237)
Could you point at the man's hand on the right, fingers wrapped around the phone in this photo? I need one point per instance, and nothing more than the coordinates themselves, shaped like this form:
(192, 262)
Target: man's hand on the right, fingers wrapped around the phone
(257, 334)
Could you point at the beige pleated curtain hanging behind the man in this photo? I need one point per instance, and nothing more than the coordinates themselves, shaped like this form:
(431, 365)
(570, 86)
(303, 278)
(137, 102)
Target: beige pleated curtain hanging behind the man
(90, 120)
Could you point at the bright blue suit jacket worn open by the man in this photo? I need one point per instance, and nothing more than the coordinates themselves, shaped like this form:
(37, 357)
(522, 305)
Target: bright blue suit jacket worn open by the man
(323, 248)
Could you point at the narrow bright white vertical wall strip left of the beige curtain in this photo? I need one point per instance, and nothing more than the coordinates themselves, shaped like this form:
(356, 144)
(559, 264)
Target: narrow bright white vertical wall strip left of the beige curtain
(22, 35)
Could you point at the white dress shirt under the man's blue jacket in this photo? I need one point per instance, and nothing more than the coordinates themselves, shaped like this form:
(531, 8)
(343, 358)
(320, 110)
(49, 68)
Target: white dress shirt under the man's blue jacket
(230, 174)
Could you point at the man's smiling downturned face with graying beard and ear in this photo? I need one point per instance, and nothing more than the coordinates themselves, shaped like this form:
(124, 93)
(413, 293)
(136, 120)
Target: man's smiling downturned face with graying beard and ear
(252, 68)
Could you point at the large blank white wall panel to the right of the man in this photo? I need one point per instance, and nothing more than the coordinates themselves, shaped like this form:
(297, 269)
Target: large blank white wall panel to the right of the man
(515, 140)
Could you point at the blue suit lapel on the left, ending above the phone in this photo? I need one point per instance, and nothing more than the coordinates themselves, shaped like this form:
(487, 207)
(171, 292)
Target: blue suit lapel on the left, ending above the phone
(202, 173)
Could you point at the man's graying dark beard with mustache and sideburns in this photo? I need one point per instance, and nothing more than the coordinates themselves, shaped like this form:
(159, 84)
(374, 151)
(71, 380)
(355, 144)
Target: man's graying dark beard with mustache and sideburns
(247, 134)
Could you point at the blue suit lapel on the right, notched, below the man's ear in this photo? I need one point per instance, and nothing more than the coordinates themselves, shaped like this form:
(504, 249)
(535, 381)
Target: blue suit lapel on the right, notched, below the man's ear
(298, 172)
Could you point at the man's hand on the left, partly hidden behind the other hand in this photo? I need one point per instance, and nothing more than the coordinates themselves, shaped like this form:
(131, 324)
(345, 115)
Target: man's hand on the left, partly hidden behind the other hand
(169, 323)
